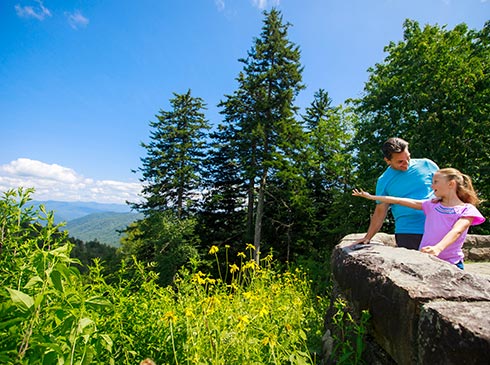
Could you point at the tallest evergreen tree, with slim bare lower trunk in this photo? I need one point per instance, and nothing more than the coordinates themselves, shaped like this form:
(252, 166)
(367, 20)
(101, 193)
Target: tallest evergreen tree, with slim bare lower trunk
(262, 111)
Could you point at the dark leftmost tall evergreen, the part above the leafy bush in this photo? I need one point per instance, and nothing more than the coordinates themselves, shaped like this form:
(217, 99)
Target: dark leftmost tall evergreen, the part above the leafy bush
(172, 169)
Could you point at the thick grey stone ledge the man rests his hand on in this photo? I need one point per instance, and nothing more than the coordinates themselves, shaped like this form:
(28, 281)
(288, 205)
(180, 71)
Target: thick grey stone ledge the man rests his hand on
(396, 285)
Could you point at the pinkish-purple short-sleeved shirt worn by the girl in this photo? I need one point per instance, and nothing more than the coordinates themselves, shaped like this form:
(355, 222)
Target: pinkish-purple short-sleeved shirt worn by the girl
(439, 221)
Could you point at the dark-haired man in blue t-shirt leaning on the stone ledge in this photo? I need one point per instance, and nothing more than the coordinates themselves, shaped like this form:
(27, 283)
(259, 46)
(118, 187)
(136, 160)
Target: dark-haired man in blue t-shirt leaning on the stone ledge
(407, 178)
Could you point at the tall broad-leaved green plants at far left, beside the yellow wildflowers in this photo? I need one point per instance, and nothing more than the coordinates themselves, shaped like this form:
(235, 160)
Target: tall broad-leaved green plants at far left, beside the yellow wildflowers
(47, 313)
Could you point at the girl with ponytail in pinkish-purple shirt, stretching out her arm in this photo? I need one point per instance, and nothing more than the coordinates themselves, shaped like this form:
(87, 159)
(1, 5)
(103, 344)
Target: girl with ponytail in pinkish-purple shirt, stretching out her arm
(448, 217)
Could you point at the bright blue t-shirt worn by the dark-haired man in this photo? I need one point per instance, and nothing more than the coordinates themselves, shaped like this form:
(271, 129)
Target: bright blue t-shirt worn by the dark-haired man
(415, 183)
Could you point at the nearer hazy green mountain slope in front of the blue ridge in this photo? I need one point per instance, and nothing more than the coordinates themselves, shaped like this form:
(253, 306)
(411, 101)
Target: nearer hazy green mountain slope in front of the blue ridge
(102, 227)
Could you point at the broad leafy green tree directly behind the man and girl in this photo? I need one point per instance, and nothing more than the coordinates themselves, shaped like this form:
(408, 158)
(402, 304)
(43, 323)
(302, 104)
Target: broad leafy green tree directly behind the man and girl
(432, 90)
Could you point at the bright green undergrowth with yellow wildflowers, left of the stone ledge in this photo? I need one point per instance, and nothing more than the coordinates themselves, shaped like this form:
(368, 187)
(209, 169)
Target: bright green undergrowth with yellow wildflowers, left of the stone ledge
(50, 314)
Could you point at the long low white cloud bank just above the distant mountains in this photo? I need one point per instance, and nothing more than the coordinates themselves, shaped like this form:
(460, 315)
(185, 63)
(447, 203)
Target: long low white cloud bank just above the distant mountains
(55, 182)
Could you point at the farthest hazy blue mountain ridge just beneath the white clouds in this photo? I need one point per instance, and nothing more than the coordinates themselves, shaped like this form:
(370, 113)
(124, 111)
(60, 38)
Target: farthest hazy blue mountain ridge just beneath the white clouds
(67, 211)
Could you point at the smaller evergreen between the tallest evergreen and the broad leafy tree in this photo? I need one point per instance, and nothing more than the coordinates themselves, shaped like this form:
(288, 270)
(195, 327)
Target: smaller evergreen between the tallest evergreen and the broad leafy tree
(327, 169)
